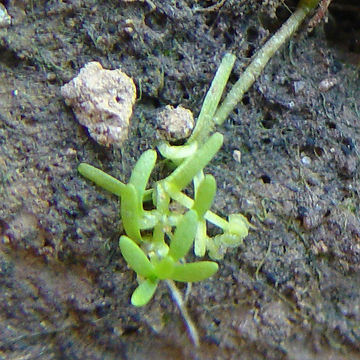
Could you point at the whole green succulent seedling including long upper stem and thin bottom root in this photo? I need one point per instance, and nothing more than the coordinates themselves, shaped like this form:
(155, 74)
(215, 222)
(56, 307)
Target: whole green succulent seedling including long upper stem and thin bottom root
(158, 240)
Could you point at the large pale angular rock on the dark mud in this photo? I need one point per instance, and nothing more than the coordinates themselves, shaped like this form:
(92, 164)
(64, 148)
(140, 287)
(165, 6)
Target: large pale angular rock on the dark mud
(102, 101)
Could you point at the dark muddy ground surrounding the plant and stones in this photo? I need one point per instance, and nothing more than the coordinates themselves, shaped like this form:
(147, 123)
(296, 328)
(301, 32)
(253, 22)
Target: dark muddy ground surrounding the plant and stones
(292, 291)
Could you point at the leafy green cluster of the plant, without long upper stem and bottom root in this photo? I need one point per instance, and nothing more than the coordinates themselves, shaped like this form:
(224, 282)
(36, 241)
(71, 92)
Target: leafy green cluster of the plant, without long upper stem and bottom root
(159, 254)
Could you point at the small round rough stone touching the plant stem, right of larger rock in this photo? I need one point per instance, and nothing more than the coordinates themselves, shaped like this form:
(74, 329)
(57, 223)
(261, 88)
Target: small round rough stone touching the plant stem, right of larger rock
(175, 123)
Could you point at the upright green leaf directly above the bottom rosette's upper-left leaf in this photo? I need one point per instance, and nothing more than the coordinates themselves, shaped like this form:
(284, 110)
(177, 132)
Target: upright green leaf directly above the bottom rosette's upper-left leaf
(131, 212)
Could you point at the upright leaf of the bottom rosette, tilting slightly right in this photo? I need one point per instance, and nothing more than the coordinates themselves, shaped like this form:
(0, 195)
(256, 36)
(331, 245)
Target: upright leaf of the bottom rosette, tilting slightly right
(184, 235)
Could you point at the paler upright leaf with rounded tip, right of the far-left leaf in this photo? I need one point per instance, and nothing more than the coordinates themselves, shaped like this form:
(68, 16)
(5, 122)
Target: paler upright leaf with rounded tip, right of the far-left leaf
(141, 172)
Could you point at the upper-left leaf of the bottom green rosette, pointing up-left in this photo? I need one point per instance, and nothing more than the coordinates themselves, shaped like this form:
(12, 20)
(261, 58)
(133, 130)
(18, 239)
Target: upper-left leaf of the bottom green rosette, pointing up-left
(135, 257)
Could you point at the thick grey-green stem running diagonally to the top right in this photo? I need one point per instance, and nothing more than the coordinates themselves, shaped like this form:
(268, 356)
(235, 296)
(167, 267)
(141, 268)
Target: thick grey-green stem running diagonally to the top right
(262, 57)
